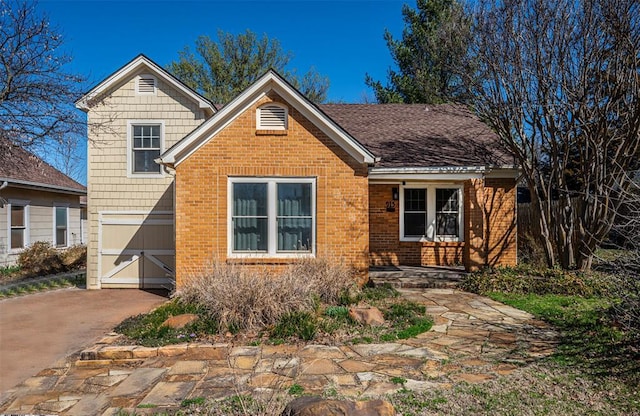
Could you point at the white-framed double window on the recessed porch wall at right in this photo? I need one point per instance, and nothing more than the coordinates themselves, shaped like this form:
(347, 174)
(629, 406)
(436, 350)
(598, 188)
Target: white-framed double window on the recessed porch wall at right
(430, 213)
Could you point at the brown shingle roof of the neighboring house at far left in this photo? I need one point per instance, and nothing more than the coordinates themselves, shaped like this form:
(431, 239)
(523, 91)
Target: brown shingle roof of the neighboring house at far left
(22, 166)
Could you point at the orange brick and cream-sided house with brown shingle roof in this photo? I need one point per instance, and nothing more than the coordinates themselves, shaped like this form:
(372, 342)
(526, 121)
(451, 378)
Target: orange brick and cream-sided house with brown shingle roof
(176, 182)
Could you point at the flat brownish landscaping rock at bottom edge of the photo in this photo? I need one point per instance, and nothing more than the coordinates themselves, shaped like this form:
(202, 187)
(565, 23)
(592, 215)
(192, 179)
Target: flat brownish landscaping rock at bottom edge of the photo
(317, 406)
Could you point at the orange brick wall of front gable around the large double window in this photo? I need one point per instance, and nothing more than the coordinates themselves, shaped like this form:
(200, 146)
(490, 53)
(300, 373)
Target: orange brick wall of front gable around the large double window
(238, 150)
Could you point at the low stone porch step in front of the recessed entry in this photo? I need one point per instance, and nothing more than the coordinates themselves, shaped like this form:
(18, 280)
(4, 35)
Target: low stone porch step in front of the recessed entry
(423, 277)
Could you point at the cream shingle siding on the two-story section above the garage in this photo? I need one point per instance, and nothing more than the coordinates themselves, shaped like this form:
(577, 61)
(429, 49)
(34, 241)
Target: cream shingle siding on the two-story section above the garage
(110, 187)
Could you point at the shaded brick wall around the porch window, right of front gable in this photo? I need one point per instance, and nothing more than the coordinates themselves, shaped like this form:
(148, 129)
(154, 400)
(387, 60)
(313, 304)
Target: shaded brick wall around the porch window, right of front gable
(489, 229)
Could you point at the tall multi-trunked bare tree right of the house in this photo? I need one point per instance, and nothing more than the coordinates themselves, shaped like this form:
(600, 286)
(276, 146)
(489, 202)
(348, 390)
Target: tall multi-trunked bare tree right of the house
(561, 87)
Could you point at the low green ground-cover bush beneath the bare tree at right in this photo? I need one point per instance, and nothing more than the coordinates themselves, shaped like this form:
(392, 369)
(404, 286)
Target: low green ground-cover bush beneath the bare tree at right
(524, 279)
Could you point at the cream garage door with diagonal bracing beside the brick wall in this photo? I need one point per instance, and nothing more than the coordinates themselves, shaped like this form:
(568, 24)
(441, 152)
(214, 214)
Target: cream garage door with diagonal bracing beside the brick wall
(136, 250)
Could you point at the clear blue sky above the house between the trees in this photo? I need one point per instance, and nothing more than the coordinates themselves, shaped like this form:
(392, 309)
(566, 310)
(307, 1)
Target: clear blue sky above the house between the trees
(341, 39)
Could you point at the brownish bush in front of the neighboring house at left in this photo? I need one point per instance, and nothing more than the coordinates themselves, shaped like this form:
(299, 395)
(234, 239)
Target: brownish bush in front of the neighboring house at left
(41, 259)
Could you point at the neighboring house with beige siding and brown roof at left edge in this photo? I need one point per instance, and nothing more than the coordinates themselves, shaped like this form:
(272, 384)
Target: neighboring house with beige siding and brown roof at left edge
(37, 203)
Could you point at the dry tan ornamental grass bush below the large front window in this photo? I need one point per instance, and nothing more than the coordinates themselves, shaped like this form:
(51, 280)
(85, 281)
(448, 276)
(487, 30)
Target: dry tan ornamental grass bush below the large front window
(241, 298)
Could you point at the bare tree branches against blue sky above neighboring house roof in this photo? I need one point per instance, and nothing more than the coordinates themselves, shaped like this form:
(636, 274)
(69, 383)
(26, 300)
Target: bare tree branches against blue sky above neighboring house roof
(36, 89)
